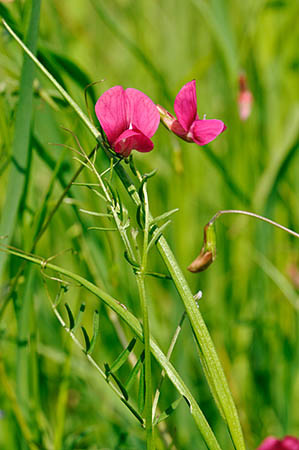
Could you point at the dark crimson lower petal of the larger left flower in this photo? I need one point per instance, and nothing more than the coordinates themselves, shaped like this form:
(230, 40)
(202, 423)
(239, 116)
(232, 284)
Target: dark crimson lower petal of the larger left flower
(132, 140)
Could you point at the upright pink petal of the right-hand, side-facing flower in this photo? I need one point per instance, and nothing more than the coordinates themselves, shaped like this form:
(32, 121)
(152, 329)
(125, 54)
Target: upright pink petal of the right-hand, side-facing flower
(185, 105)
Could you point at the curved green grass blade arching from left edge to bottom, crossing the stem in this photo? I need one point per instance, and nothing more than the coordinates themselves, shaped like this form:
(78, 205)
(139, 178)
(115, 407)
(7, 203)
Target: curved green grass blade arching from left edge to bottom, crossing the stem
(135, 326)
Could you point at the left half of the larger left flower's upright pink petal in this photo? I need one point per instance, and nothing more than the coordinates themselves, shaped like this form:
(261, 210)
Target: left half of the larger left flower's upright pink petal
(111, 112)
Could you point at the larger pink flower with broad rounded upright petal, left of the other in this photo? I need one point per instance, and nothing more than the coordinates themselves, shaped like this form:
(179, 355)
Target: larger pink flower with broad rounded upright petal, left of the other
(129, 119)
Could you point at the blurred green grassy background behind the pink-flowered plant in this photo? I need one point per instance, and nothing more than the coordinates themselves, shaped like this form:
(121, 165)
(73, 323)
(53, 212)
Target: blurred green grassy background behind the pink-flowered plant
(244, 57)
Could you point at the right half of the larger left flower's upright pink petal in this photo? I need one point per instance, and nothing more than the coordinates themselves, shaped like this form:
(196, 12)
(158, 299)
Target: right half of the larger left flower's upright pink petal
(142, 112)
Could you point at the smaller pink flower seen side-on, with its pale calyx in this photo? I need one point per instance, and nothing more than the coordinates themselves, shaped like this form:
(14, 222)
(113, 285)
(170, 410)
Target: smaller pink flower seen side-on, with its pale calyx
(188, 126)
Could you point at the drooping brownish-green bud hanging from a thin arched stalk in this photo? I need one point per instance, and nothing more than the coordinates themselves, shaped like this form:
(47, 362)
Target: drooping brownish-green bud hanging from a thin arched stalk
(208, 251)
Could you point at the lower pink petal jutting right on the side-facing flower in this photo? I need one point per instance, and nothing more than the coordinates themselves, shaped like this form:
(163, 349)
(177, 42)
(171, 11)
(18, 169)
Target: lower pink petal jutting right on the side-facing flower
(205, 131)
